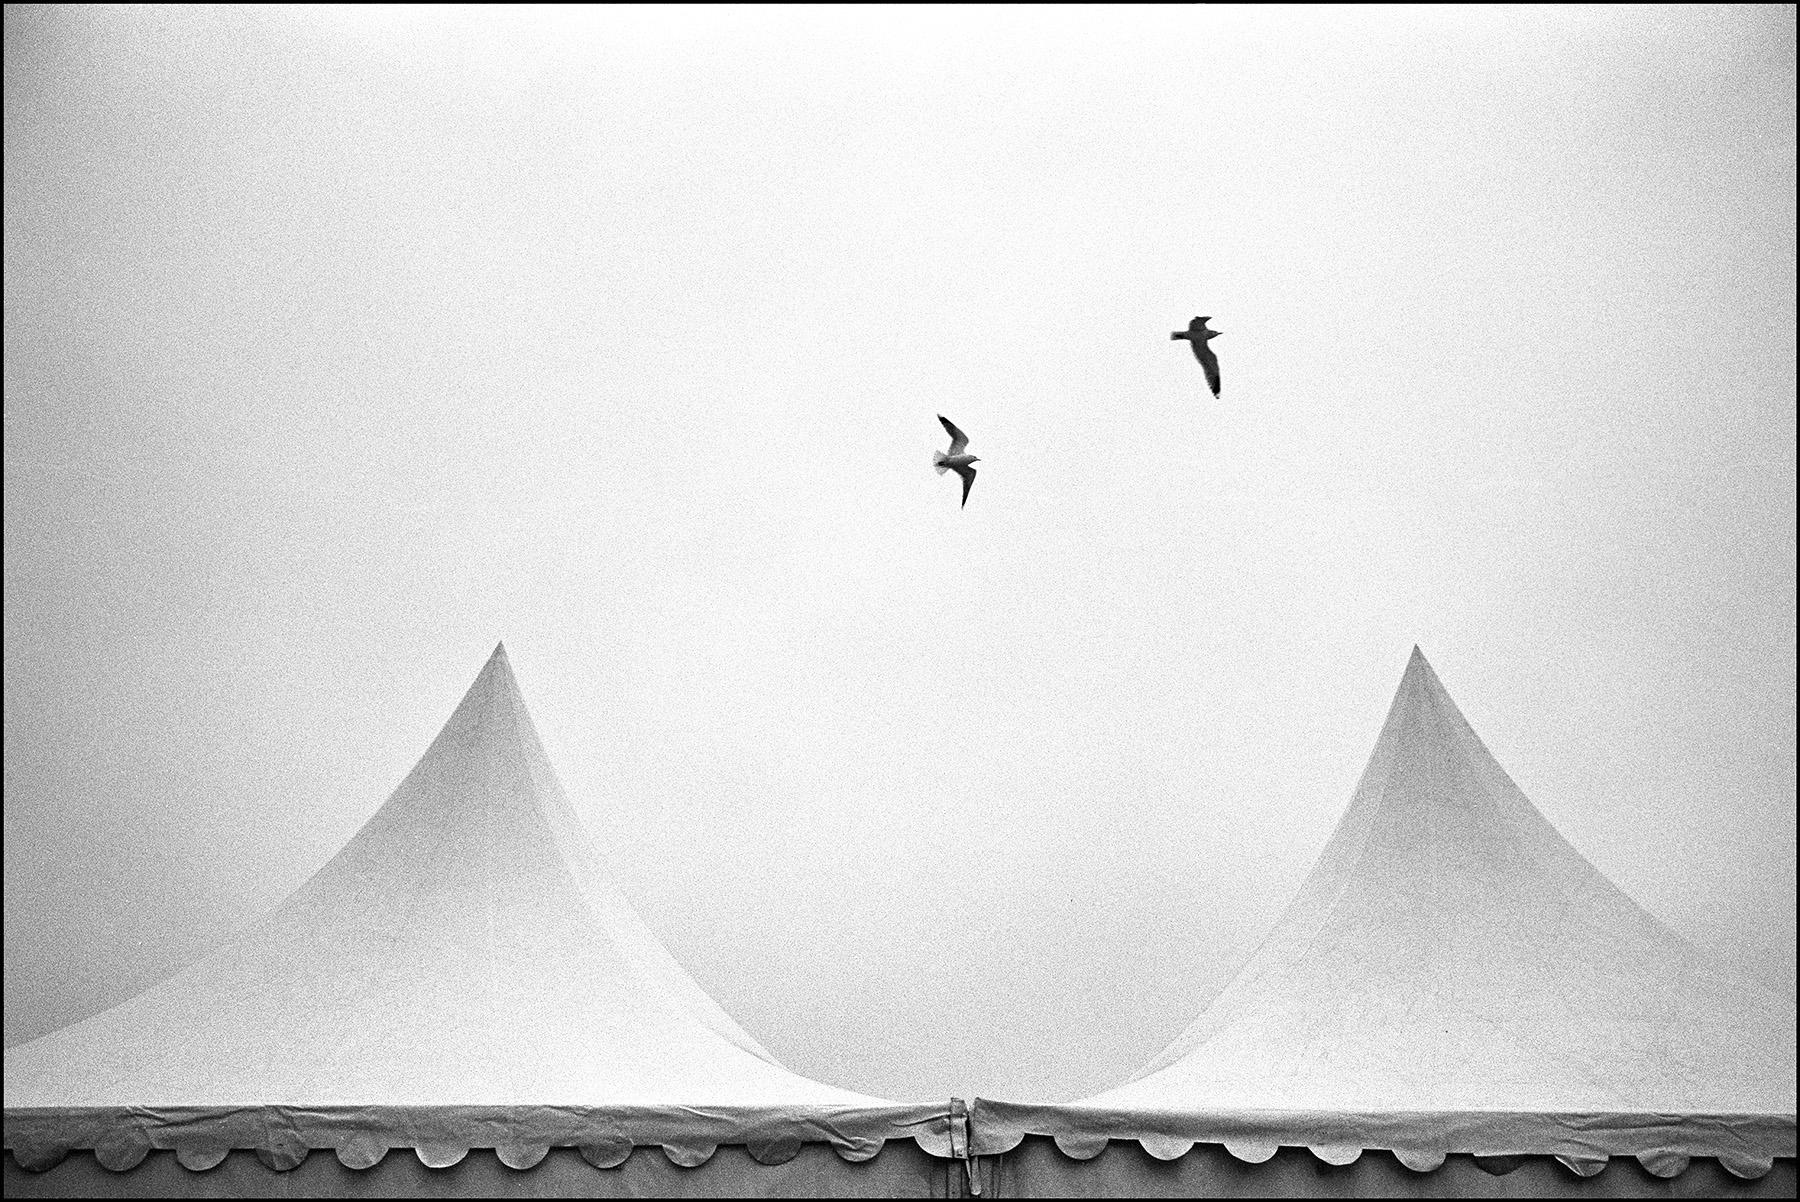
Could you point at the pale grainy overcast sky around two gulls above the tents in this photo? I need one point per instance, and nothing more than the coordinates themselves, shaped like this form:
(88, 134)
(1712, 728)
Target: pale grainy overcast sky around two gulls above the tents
(343, 345)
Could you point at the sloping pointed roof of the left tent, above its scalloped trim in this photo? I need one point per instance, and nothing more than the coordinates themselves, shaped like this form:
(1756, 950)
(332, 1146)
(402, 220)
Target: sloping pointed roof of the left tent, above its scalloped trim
(465, 947)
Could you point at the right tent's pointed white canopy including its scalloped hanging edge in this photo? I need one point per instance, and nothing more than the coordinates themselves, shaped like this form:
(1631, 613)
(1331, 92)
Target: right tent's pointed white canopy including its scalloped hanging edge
(1453, 976)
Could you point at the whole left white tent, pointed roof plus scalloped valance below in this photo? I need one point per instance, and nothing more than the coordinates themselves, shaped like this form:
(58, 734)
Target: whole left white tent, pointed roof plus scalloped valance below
(460, 976)
